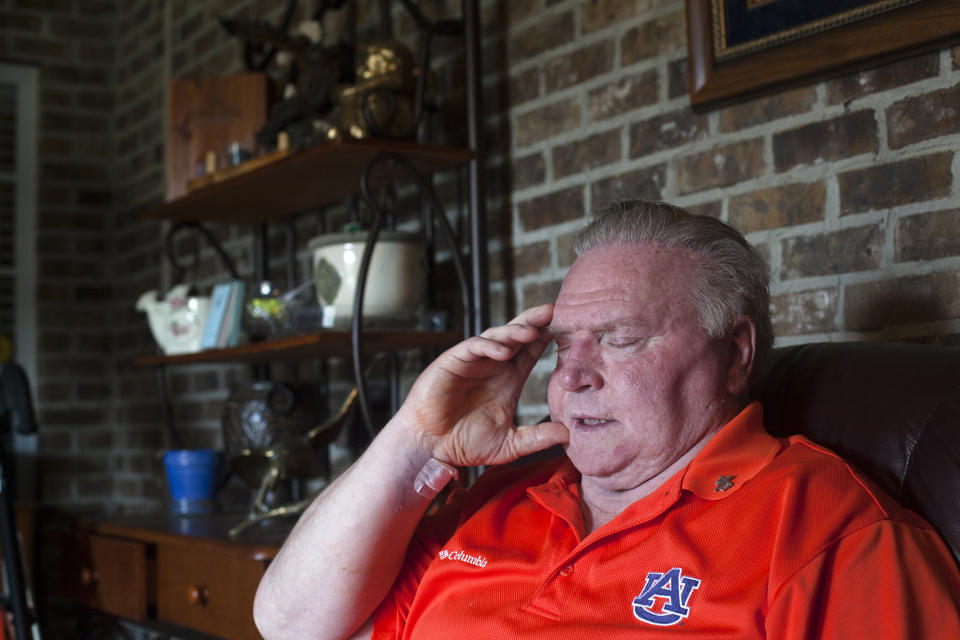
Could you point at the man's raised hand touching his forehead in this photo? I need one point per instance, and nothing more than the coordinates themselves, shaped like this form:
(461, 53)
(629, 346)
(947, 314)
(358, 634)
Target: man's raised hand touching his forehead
(462, 406)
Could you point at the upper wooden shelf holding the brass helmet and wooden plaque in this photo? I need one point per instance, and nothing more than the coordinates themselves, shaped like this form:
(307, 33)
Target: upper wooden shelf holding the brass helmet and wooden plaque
(323, 174)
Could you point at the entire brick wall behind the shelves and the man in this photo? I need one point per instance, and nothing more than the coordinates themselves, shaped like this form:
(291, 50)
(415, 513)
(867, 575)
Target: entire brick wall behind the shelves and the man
(847, 186)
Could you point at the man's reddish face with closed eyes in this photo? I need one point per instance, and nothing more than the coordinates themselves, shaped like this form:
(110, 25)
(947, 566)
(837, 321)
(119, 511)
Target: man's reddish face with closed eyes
(638, 381)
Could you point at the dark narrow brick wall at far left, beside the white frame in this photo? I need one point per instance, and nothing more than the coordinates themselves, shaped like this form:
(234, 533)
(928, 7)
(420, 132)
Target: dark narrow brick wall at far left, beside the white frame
(72, 44)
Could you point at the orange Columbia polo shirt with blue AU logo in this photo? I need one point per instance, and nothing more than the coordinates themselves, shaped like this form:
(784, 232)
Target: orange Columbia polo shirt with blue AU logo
(758, 537)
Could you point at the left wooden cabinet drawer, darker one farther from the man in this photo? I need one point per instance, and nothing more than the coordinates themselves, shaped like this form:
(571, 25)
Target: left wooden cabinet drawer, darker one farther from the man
(109, 574)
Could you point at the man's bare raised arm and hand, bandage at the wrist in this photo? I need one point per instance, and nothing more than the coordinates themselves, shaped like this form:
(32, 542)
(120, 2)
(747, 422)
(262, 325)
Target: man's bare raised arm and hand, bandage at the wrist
(346, 550)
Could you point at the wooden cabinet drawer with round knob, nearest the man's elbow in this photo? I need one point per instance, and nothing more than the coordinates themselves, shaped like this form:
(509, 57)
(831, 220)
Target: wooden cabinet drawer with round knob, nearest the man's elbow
(207, 591)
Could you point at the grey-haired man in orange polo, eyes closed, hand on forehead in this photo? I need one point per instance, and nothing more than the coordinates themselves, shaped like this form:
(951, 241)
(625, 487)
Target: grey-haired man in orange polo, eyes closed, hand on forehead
(673, 512)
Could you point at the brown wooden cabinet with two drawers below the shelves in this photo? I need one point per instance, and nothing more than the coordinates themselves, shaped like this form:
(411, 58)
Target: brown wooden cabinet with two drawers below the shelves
(182, 571)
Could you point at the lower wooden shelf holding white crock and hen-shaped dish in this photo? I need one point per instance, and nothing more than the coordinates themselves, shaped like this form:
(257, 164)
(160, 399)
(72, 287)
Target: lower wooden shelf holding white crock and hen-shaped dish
(312, 345)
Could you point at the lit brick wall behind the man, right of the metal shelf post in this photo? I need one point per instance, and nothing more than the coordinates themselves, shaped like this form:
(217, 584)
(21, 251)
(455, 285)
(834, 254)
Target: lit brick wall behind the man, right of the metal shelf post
(847, 186)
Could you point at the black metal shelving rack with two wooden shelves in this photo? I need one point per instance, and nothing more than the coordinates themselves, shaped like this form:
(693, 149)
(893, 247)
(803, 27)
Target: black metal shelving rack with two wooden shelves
(330, 172)
